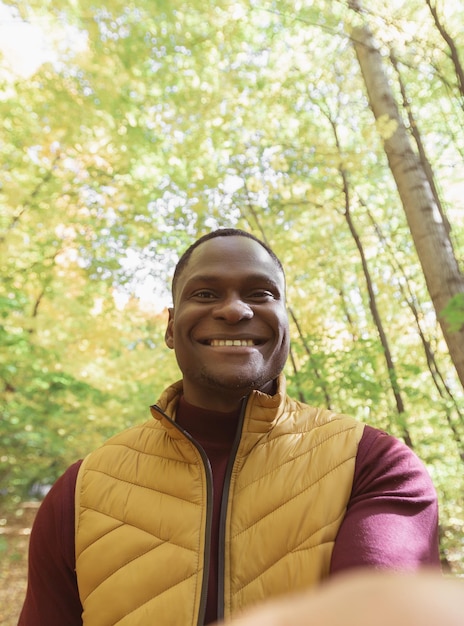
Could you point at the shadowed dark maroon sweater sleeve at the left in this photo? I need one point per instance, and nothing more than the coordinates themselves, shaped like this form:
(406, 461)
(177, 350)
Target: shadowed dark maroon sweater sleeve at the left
(52, 596)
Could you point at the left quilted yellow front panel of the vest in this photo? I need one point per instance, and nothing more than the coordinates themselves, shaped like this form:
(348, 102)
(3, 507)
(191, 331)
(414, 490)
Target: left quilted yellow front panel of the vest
(141, 530)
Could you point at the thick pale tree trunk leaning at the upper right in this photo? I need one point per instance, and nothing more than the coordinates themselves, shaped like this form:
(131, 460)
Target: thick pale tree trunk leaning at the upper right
(429, 232)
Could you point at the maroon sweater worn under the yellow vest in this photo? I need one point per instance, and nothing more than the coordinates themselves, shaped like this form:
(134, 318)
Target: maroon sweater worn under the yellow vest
(391, 520)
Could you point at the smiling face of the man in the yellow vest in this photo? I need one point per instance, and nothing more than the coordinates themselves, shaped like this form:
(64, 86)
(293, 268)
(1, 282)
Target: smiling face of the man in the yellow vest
(229, 325)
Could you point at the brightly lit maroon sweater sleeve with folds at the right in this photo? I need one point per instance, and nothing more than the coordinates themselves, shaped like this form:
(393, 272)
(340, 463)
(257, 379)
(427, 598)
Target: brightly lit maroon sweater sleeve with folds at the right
(392, 517)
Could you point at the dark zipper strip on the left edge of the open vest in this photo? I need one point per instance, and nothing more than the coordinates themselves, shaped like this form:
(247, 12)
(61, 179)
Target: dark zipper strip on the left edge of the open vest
(209, 514)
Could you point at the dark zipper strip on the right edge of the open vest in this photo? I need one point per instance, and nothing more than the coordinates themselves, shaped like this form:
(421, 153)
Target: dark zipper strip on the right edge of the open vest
(223, 514)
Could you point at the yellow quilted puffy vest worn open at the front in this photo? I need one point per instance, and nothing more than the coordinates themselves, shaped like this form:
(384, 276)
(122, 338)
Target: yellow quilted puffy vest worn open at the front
(143, 510)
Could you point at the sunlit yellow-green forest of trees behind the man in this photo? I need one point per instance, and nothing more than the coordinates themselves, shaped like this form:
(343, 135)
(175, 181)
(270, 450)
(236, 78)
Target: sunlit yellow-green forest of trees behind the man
(131, 128)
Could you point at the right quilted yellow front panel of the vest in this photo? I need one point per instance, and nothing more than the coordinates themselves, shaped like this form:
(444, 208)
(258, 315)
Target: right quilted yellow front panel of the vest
(288, 497)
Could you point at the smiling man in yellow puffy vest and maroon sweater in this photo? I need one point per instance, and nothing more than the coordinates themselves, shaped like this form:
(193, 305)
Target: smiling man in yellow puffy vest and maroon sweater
(234, 492)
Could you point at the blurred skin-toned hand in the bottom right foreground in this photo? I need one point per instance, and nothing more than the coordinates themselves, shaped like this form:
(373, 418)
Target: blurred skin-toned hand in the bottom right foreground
(367, 598)
